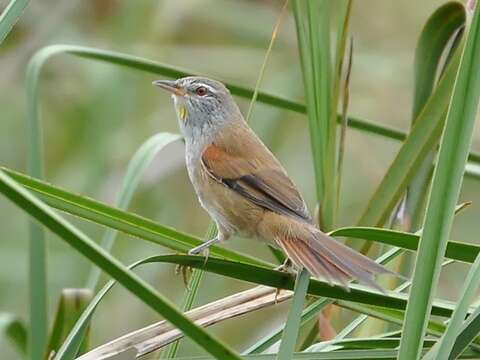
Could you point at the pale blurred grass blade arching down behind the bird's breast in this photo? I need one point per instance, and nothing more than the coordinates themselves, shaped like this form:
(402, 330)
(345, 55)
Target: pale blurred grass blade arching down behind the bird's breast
(135, 170)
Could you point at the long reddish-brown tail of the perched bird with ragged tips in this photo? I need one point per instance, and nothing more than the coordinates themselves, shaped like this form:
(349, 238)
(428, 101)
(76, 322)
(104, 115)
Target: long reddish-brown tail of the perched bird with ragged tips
(328, 259)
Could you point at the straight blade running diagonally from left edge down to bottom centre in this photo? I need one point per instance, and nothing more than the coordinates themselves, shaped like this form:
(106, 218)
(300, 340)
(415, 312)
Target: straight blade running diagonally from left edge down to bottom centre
(88, 248)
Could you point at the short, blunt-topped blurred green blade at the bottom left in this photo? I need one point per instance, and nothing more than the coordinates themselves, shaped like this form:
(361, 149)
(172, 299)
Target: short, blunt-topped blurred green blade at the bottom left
(70, 307)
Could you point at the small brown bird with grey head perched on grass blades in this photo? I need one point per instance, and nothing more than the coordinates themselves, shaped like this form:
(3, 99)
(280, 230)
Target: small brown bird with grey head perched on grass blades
(245, 190)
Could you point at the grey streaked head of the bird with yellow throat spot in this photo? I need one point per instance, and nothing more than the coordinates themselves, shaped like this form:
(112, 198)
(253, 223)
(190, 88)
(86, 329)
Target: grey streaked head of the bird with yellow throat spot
(202, 105)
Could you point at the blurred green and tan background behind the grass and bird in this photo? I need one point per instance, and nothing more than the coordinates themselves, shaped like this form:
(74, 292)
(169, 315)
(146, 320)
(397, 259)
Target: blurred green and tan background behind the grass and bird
(96, 115)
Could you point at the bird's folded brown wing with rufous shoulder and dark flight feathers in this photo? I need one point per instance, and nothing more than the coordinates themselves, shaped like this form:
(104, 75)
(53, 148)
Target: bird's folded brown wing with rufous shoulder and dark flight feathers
(258, 177)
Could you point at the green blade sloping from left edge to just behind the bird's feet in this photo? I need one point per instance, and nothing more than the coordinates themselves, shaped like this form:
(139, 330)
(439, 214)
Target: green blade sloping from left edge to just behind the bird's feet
(126, 222)
